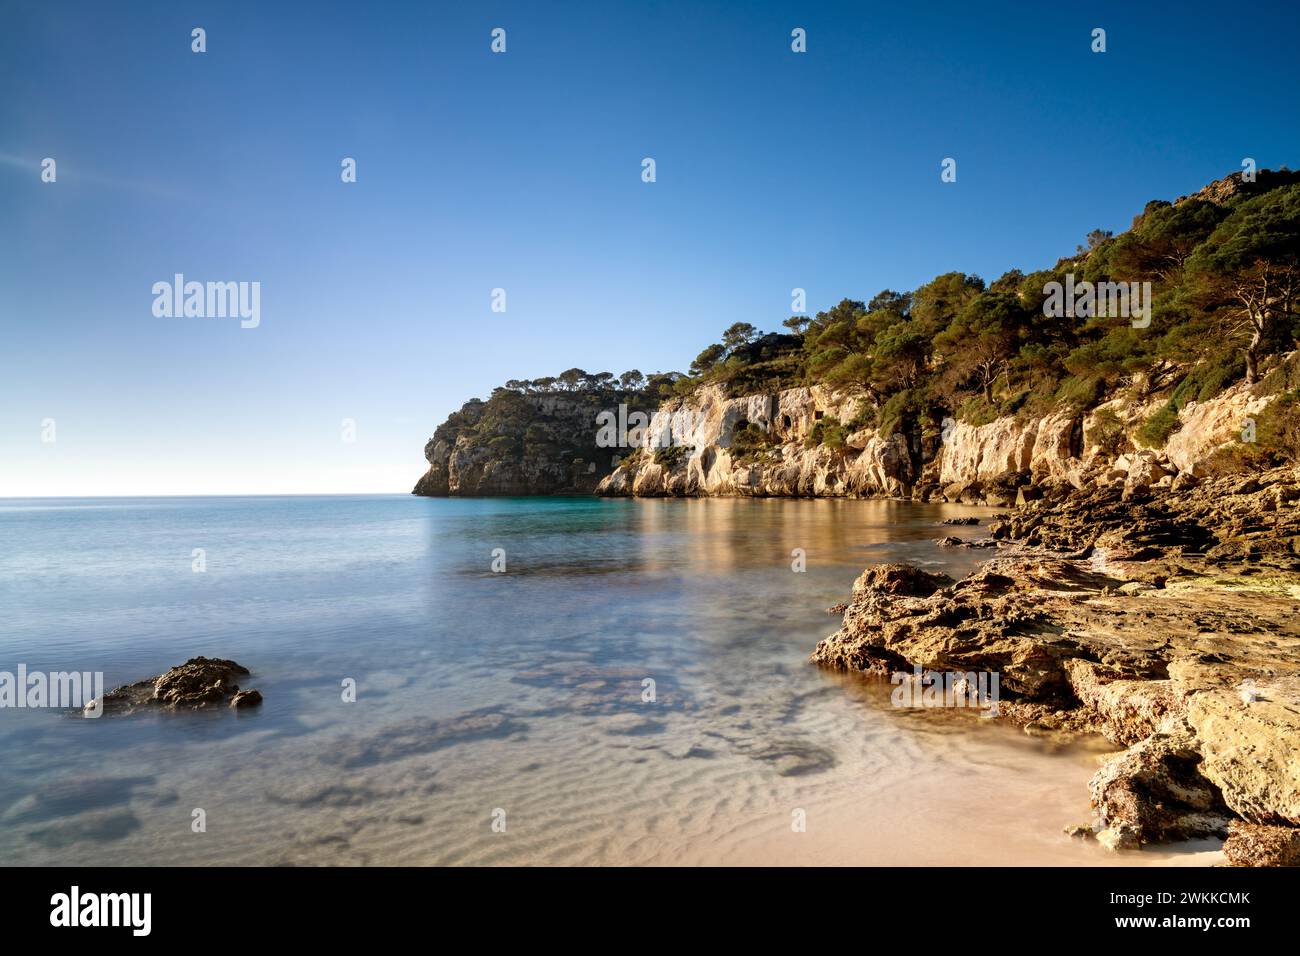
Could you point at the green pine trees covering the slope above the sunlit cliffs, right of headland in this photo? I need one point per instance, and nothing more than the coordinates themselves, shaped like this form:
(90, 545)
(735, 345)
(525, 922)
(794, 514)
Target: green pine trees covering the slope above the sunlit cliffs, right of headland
(1224, 269)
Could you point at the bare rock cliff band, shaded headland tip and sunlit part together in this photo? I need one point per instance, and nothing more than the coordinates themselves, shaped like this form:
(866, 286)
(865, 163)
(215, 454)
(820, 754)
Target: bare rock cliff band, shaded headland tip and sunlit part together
(814, 443)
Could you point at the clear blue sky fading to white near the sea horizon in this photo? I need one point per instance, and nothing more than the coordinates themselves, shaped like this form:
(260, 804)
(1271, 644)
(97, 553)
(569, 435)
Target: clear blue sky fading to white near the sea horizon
(523, 171)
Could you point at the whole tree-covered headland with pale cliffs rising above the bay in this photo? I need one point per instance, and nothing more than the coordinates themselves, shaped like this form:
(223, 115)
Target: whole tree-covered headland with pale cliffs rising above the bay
(757, 417)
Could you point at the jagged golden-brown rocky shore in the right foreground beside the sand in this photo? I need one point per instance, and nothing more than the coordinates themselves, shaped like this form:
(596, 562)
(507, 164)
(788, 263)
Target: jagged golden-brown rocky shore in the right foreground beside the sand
(1164, 620)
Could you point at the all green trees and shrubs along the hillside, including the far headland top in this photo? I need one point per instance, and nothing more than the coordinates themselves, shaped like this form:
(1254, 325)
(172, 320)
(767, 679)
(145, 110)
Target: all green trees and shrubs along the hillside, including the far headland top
(1224, 274)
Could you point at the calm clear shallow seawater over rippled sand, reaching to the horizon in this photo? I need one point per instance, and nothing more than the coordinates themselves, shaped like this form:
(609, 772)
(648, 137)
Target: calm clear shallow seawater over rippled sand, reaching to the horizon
(512, 697)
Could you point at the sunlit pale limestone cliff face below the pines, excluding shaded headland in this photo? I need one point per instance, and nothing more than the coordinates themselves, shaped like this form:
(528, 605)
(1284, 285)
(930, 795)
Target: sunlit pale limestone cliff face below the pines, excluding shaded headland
(987, 464)
